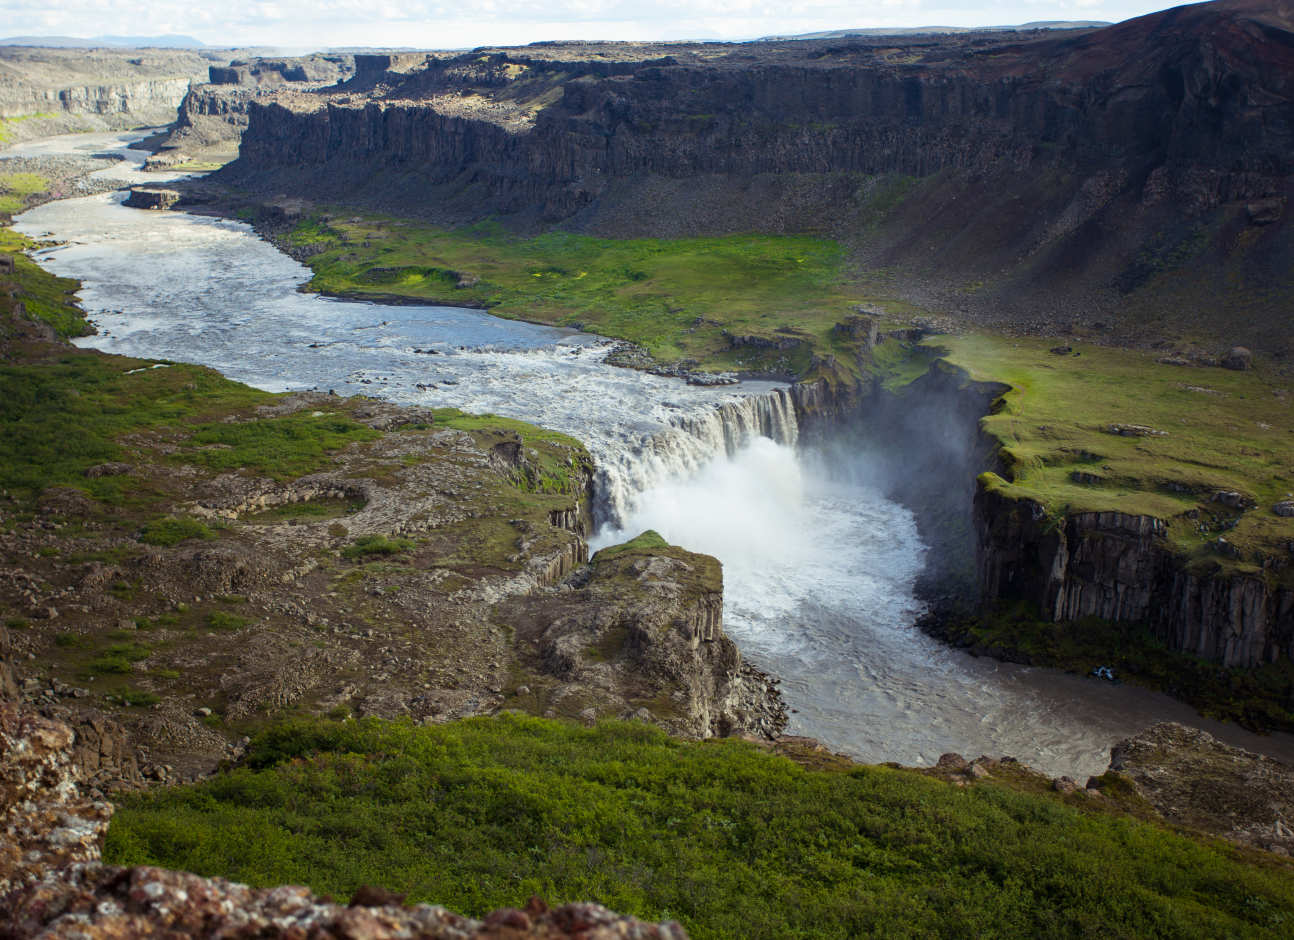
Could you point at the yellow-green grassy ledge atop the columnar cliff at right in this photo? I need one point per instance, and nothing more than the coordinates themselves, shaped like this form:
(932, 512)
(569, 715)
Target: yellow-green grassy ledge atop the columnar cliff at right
(1223, 432)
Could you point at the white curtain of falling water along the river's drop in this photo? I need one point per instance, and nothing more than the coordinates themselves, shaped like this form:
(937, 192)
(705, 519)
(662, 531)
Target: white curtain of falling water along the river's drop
(692, 443)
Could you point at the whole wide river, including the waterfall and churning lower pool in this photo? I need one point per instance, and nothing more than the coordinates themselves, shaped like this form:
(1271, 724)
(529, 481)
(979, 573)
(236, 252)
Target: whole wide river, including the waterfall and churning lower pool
(818, 572)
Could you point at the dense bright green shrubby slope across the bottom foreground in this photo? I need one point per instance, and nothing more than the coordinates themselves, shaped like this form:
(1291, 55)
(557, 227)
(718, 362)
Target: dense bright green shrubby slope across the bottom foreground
(724, 837)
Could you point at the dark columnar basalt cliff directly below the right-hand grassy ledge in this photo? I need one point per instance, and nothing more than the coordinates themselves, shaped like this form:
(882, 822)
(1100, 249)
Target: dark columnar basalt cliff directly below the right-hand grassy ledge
(1120, 568)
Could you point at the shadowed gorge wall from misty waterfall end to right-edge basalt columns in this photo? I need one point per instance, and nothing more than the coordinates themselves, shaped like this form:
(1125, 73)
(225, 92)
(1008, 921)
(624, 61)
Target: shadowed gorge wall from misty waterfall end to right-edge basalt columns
(923, 445)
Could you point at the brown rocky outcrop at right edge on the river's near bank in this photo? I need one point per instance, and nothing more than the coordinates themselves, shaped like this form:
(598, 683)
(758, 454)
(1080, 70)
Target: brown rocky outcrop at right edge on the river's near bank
(1195, 780)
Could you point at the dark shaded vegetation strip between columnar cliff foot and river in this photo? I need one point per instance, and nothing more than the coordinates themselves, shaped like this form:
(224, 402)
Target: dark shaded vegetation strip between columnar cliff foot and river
(1260, 699)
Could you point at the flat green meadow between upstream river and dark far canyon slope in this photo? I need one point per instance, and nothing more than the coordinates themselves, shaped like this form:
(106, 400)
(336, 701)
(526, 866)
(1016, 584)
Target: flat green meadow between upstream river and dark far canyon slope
(648, 291)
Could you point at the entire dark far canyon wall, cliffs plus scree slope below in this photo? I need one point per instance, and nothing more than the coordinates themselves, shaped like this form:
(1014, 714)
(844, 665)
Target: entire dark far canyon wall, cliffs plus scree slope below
(1067, 175)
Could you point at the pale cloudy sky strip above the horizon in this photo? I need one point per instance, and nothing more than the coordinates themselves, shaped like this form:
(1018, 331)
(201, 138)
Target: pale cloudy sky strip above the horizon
(465, 24)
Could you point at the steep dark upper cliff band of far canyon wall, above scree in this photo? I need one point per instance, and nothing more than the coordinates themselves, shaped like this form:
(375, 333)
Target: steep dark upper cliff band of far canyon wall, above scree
(1199, 91)
